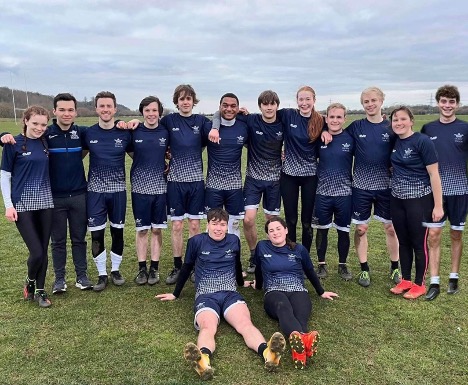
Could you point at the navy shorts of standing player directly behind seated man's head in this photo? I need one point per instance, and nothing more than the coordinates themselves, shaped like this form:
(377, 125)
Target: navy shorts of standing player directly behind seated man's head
(231, 200)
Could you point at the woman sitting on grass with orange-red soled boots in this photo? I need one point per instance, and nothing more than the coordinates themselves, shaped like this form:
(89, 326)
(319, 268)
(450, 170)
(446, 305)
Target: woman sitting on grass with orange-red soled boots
(280, 267)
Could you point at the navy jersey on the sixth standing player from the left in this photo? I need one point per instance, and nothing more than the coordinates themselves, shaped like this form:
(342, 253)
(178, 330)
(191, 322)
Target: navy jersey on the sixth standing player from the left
(224, 159)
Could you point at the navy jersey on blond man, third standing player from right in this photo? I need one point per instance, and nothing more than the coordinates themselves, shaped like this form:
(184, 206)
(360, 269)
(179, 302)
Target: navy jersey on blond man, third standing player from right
(374, 144)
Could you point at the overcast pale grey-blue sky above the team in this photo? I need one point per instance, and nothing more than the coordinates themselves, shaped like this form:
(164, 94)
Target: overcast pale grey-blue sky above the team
(140, 48)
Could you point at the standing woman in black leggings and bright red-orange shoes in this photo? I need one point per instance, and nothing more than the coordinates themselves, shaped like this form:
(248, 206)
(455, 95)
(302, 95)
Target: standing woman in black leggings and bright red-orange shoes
(416, 199)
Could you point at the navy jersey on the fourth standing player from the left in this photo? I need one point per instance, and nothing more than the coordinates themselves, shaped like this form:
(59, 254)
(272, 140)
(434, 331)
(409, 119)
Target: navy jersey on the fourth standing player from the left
(149, 155)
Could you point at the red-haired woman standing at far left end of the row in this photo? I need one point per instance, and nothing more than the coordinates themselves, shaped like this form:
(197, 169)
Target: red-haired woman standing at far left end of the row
(28, 197)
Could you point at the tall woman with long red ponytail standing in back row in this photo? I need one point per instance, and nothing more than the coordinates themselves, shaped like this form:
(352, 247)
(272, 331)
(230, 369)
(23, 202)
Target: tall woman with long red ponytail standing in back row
(302, 127)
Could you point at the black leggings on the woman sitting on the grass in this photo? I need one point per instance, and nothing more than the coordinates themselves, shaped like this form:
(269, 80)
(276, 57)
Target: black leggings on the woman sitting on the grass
(291, 308)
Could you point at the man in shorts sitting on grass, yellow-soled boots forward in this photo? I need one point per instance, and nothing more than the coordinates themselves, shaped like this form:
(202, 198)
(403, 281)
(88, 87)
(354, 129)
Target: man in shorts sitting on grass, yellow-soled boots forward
(215, 255)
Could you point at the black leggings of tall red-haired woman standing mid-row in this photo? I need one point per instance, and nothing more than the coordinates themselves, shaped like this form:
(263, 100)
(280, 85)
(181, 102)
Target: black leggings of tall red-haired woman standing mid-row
(289, 186)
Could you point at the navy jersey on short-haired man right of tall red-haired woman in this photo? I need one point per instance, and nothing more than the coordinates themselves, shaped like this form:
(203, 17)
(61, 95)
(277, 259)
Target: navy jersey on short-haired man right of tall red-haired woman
(334, 170)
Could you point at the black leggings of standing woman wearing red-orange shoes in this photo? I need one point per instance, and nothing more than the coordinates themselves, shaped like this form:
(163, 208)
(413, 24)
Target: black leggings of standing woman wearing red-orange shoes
(407, 217)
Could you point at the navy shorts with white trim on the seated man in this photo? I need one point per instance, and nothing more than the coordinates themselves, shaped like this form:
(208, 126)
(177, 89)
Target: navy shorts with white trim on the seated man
(219, 303)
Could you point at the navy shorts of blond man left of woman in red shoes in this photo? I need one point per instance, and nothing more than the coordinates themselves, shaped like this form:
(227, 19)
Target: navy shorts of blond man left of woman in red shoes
(362, 205)
